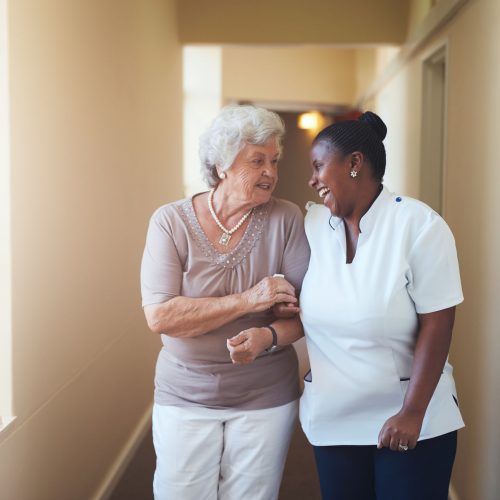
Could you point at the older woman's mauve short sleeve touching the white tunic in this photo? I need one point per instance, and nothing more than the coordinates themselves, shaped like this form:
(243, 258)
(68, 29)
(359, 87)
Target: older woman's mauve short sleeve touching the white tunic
(296, 255)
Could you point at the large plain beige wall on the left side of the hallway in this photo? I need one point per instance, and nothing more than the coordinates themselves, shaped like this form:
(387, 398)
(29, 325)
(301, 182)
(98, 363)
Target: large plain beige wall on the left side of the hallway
(96, 146)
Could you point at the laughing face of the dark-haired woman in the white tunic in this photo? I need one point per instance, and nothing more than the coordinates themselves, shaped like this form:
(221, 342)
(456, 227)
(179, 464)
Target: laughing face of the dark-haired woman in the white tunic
(331, 178)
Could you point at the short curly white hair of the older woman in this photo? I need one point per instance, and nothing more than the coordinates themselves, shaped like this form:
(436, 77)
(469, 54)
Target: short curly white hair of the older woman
(232, 129)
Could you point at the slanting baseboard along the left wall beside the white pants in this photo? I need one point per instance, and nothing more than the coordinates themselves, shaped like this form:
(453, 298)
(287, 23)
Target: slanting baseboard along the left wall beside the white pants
(125, 456)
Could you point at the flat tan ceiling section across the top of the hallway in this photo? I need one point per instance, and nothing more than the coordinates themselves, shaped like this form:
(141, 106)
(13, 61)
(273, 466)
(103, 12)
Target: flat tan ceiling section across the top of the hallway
(300, 21)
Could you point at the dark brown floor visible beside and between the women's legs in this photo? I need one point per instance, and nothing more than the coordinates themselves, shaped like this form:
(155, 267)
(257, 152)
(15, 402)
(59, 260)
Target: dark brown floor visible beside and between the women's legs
(300, 481)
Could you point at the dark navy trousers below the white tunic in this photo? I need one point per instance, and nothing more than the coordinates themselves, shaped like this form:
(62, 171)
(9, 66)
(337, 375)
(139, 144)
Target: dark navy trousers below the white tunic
(367, 473)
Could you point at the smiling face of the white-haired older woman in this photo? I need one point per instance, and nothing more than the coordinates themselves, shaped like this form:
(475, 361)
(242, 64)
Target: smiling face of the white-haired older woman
(254, 173)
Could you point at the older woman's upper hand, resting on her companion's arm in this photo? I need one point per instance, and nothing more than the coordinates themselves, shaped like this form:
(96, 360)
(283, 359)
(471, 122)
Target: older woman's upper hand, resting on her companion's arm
(268, 292)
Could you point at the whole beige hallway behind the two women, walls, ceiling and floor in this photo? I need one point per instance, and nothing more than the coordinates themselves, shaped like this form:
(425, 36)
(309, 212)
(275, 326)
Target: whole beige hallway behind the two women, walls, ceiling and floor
(92, 127)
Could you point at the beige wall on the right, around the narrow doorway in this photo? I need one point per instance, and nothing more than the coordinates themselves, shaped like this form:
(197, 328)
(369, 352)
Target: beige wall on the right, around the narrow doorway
(471, 207)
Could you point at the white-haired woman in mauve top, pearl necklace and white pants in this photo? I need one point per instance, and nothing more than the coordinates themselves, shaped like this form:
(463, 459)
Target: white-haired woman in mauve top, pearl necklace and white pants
(222, 425)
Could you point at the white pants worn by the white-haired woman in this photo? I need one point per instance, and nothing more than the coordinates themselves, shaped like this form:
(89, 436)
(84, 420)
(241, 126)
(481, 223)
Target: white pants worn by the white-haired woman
(206, 454)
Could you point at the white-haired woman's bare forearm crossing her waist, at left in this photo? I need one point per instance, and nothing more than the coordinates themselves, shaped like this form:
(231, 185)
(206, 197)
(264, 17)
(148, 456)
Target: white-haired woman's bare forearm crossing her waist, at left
(192, 317)
